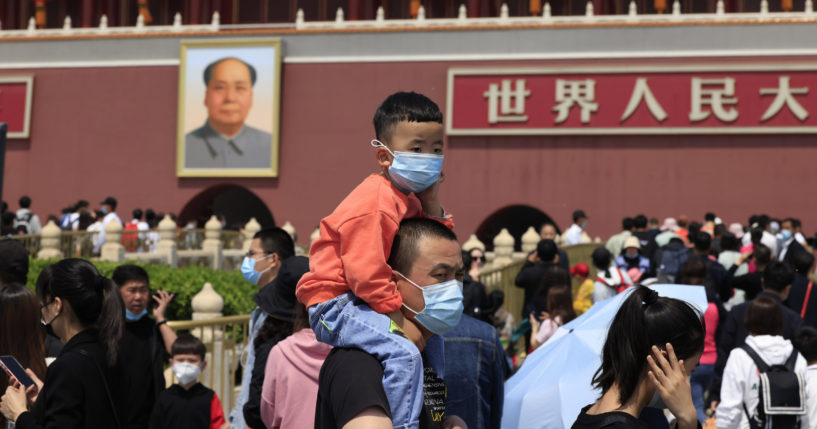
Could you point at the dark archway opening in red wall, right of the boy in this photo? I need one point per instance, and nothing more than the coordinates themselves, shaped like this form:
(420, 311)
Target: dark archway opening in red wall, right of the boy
(517, 219)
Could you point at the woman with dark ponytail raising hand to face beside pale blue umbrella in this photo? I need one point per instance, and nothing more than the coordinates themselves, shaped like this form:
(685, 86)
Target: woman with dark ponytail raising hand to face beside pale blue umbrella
(653, 344)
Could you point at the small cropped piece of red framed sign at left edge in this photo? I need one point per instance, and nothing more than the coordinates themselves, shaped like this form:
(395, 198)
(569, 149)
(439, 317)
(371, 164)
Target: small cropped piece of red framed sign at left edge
(15, 104)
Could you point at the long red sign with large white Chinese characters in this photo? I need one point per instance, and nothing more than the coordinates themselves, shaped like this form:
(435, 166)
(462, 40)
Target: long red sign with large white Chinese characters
(708, 99)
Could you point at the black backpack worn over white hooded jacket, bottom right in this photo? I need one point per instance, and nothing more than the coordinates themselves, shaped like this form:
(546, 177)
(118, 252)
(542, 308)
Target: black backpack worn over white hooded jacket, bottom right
(781, 394)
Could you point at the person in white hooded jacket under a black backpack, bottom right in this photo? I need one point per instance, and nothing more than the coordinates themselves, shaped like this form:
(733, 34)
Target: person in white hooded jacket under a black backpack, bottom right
(740, 385)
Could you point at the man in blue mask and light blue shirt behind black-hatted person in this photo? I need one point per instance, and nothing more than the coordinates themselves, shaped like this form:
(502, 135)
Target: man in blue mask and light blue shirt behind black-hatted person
(268, 248)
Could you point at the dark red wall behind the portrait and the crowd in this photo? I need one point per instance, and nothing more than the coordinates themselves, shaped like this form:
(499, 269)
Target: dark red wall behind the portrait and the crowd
(112, 131)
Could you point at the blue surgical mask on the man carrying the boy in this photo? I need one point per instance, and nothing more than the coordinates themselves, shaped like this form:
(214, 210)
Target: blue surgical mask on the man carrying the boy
(443, 307)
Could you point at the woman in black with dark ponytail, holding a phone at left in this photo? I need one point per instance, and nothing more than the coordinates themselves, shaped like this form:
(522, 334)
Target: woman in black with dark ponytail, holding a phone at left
(84, 387)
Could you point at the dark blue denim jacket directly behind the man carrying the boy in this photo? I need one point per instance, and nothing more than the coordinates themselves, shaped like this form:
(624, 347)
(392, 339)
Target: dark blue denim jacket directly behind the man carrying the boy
(475, 367)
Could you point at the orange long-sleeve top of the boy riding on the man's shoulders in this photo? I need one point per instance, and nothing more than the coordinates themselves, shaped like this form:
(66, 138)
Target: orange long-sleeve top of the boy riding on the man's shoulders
(354, 245)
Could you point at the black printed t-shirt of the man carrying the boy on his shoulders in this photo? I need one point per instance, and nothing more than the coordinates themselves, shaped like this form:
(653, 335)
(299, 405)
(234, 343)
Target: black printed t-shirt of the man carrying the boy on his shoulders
(351, 381)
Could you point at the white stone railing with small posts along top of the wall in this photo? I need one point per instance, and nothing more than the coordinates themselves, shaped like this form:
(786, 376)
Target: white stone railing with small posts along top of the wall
(674, 16)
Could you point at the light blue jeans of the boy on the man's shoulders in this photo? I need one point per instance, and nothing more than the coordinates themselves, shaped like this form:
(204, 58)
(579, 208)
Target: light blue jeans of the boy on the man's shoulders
(347, 321)
